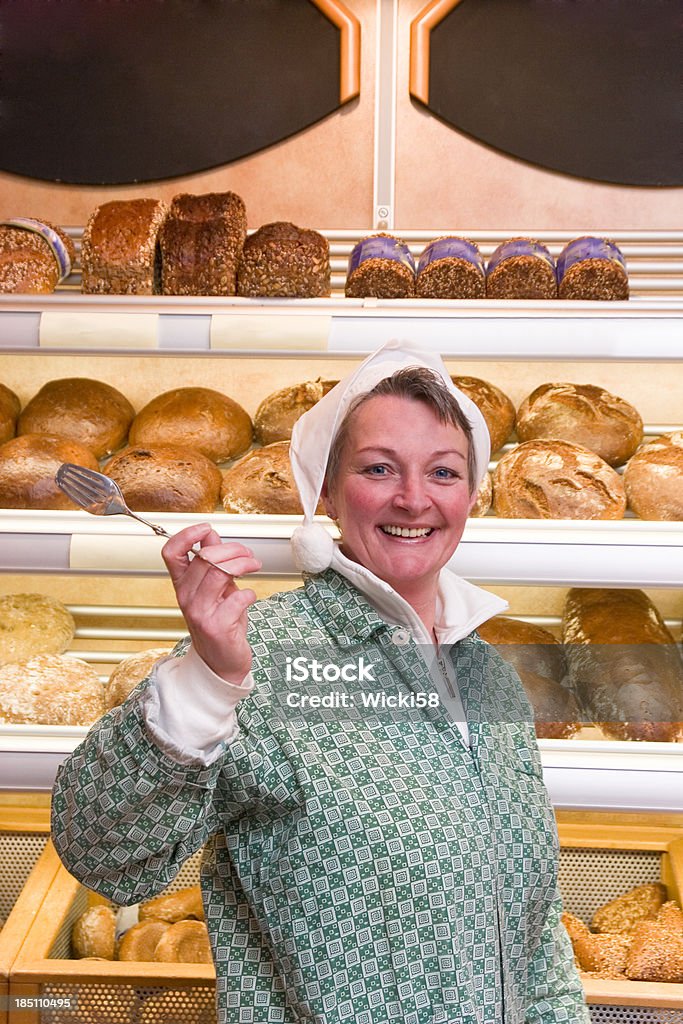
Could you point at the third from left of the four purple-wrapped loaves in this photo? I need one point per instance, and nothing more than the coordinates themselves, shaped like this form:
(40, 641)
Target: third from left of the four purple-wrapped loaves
(522, 269)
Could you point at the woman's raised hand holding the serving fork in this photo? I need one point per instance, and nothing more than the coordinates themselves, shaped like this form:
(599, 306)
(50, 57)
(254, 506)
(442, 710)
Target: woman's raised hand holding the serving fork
(216, 610)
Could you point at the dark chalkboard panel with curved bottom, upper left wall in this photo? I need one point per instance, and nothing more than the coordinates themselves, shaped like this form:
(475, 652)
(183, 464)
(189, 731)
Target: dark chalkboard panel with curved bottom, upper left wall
(113, 92)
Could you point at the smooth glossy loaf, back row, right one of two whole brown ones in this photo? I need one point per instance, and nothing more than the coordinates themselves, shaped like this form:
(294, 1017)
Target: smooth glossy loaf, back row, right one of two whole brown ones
(195, 417)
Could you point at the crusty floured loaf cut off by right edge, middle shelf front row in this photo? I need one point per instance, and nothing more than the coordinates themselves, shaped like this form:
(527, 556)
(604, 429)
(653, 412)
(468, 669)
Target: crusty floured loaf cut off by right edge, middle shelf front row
(654, 479)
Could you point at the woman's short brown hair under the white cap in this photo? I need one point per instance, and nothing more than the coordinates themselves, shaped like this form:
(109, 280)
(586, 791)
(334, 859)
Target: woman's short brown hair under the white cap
(419, 385)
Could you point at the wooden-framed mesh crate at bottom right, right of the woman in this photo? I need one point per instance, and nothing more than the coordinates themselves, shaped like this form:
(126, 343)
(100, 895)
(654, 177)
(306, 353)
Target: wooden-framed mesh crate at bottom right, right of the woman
(604, 857)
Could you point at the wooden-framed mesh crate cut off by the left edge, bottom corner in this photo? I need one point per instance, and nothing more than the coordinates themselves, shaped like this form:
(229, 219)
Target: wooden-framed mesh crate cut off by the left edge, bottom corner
(27, 869)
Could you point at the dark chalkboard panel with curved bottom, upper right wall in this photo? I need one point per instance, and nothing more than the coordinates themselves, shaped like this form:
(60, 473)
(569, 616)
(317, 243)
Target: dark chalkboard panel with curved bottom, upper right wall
(588, 88)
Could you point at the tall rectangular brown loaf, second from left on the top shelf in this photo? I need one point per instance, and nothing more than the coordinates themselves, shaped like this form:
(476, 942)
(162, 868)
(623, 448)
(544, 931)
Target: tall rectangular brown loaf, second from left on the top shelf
(120, 252)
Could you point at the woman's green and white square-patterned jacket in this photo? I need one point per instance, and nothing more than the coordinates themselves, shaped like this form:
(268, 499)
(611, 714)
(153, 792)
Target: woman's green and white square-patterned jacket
(359, 869)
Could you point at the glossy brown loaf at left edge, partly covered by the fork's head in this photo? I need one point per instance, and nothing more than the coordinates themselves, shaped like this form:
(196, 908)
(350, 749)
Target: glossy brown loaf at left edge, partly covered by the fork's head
(28, 465)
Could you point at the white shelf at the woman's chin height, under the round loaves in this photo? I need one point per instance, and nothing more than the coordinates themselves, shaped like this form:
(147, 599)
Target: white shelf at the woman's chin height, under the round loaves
(624, 553)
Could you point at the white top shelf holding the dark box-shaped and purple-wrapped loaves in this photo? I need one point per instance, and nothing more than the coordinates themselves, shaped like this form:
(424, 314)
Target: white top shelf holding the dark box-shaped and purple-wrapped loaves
(645, 328)
